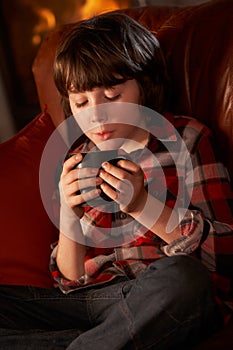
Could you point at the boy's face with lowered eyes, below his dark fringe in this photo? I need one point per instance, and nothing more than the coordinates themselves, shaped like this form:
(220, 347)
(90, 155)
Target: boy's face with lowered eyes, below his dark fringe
(105, 122)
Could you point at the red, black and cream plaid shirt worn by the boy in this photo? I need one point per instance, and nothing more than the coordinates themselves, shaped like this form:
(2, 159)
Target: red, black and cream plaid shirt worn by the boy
(207, 225)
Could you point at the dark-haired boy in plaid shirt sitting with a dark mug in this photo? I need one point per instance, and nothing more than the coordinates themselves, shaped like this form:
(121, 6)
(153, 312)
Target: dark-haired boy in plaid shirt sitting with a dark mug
(131, 268)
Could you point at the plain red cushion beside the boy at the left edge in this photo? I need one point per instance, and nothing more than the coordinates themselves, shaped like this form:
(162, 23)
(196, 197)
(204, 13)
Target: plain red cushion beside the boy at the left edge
(26, 230)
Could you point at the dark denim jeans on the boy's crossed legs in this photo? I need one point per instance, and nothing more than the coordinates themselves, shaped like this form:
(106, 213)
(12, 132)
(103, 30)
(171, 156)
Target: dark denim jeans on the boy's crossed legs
(167, 306)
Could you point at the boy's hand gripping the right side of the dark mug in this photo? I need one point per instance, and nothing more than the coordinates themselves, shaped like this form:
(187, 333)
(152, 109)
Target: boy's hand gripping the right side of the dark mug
(124, 184)
